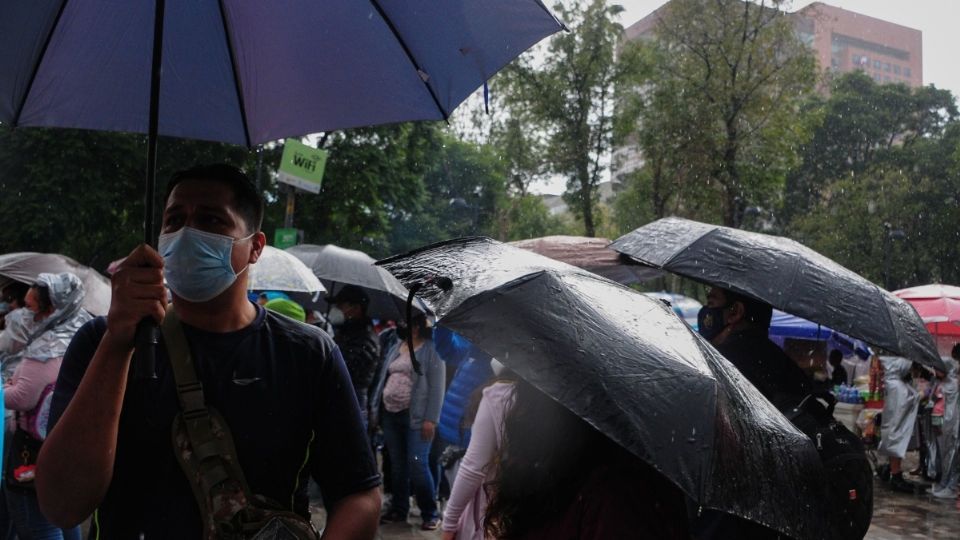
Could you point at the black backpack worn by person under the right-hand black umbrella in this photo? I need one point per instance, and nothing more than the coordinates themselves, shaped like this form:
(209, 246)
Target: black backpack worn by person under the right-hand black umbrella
(849, 475)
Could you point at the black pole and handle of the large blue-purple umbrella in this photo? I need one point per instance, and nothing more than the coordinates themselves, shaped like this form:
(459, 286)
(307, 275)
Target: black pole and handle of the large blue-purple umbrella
(148, 333)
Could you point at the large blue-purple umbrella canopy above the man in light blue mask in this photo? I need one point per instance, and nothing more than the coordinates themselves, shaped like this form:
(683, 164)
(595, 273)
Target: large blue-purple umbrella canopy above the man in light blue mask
(251, 72)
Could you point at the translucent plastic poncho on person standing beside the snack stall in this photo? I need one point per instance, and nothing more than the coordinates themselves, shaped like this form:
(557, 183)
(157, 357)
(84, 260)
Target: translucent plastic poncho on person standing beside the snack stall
(899, 407)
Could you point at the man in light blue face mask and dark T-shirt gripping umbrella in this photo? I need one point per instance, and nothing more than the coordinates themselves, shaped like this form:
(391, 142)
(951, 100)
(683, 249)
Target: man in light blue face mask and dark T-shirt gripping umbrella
(280, 386)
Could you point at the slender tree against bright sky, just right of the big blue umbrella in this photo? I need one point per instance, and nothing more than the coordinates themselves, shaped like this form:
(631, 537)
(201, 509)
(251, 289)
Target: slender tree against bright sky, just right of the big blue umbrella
(568, 99)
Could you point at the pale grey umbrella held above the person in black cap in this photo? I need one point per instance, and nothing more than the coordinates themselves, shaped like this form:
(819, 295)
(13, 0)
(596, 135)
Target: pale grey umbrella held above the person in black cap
(337, 266)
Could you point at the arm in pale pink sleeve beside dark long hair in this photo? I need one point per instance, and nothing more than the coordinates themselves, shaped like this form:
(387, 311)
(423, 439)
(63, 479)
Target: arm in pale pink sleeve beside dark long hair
(475, 463)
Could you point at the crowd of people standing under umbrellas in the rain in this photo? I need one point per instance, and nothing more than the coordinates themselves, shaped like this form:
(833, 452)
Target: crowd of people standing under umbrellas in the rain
(262, 394)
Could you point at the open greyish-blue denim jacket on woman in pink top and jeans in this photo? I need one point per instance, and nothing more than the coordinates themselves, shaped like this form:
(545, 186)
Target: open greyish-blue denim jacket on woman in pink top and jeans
(426, 396)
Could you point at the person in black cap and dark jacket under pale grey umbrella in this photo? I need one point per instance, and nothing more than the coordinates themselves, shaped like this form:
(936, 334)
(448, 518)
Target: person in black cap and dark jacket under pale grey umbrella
(357, 341)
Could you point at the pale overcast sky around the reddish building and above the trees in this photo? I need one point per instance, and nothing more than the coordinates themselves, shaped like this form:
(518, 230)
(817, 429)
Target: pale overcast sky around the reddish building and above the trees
(939, 20)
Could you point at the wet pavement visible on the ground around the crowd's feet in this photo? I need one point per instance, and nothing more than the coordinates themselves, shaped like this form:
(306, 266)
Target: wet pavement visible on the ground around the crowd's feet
(896, 516)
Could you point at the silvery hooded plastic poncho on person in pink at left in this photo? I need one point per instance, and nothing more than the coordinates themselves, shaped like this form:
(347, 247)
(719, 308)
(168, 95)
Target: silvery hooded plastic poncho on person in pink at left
(53, 334)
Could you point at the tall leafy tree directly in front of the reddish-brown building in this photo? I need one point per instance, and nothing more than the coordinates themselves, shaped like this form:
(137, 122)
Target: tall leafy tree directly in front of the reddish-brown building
(717, 119)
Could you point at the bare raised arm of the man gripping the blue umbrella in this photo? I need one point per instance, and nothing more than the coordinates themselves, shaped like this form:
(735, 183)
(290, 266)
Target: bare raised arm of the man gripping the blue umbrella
(75, 466)
